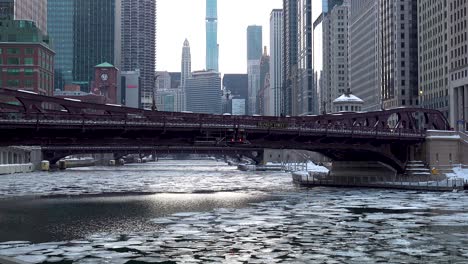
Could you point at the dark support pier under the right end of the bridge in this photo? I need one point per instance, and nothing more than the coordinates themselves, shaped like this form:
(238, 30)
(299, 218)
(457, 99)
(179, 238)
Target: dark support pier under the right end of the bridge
(359, 169)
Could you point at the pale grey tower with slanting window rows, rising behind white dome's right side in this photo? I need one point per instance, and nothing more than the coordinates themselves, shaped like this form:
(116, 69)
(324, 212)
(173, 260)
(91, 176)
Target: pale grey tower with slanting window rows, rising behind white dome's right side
(364, 53)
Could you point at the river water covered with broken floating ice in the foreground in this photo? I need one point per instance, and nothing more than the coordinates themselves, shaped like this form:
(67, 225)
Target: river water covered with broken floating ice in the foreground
(208, 212)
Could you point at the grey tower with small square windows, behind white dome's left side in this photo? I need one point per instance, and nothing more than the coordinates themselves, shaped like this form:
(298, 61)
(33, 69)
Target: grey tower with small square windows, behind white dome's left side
(335, 54)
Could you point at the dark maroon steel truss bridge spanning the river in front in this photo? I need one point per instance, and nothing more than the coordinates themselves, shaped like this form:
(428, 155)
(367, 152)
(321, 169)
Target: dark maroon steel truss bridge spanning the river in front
(68, 126)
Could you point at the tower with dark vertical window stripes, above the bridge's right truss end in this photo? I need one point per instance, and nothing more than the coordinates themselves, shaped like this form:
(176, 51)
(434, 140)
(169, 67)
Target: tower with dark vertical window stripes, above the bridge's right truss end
(399, 53)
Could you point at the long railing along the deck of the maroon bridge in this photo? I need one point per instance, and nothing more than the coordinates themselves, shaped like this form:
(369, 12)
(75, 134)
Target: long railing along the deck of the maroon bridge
(210, 121)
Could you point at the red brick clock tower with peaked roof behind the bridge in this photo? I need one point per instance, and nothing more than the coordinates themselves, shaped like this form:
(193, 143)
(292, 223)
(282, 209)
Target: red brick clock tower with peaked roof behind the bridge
(105, 82)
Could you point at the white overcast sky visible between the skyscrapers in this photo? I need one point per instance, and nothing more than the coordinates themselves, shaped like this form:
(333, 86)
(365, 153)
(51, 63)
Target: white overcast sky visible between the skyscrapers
(180, 19)
